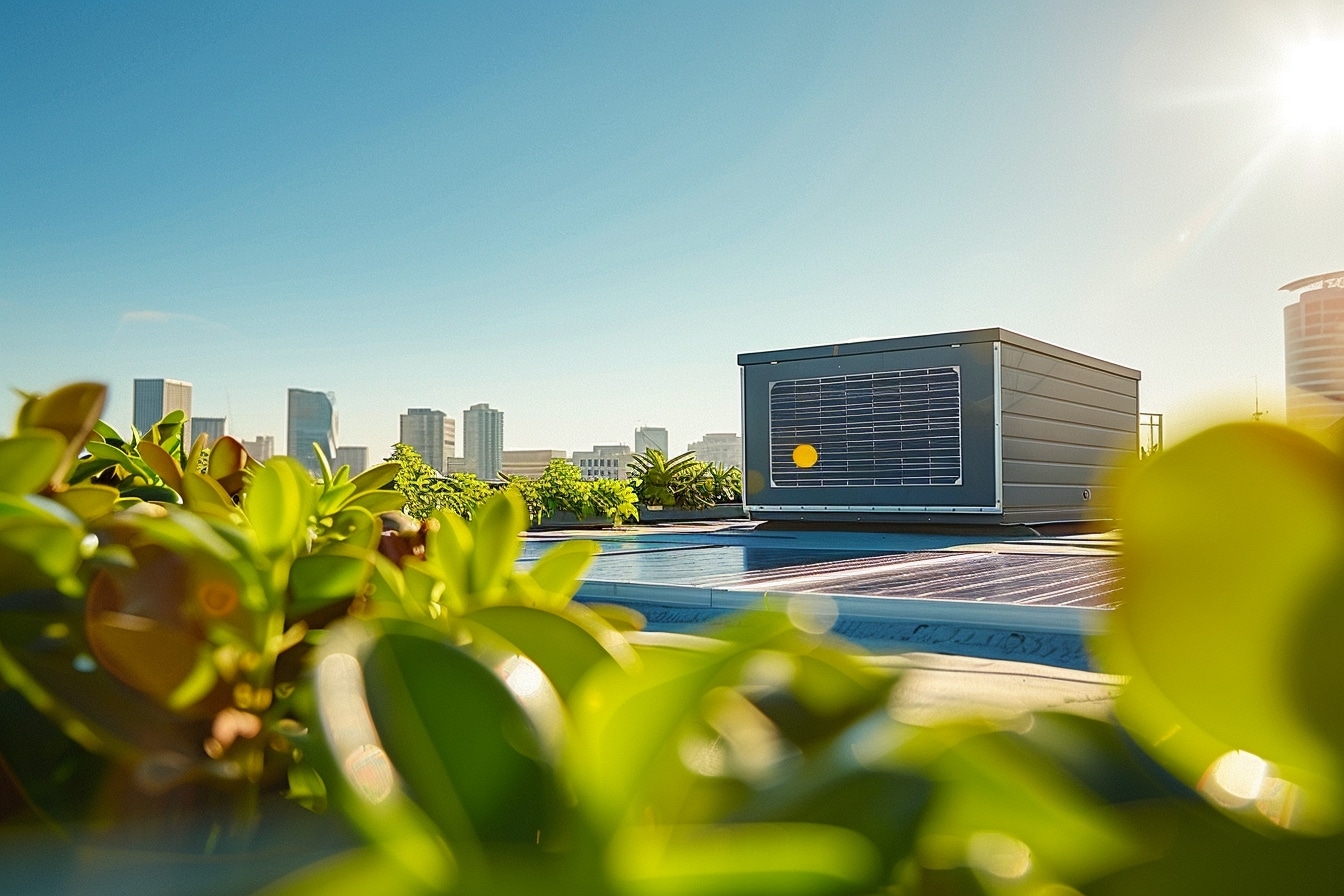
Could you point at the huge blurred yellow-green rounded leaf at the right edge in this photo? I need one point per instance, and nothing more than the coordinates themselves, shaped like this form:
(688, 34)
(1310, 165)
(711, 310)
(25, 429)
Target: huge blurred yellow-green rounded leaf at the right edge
(1228, 541)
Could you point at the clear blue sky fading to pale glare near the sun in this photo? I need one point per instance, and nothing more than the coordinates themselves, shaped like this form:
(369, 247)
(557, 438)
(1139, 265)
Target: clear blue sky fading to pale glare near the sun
(583, 213)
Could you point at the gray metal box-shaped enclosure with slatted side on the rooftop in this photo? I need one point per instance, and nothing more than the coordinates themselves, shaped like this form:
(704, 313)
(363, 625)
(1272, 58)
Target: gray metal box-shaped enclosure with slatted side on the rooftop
(979, 427)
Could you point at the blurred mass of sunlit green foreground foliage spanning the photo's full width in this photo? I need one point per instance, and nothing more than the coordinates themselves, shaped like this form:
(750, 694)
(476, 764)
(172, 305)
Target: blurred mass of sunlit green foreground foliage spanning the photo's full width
(487, 735)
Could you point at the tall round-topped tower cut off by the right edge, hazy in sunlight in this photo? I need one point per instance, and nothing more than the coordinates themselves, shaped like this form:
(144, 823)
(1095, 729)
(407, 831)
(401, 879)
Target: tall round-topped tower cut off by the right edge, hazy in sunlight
(1314, 351)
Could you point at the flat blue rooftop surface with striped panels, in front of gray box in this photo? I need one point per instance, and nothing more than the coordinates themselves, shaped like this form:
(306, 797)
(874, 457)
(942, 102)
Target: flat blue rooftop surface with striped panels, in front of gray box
(1019, 597)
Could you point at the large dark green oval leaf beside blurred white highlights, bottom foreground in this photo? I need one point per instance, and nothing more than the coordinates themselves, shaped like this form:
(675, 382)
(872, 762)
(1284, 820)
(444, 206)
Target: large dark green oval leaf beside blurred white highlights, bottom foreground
(462, 741)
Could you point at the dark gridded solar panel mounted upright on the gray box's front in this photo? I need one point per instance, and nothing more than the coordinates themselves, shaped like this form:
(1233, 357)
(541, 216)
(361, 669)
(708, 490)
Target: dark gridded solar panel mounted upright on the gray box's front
(889, 428)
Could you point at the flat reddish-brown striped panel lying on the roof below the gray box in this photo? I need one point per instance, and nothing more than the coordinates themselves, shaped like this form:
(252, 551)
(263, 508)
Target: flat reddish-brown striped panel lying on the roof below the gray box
(999, 578)
